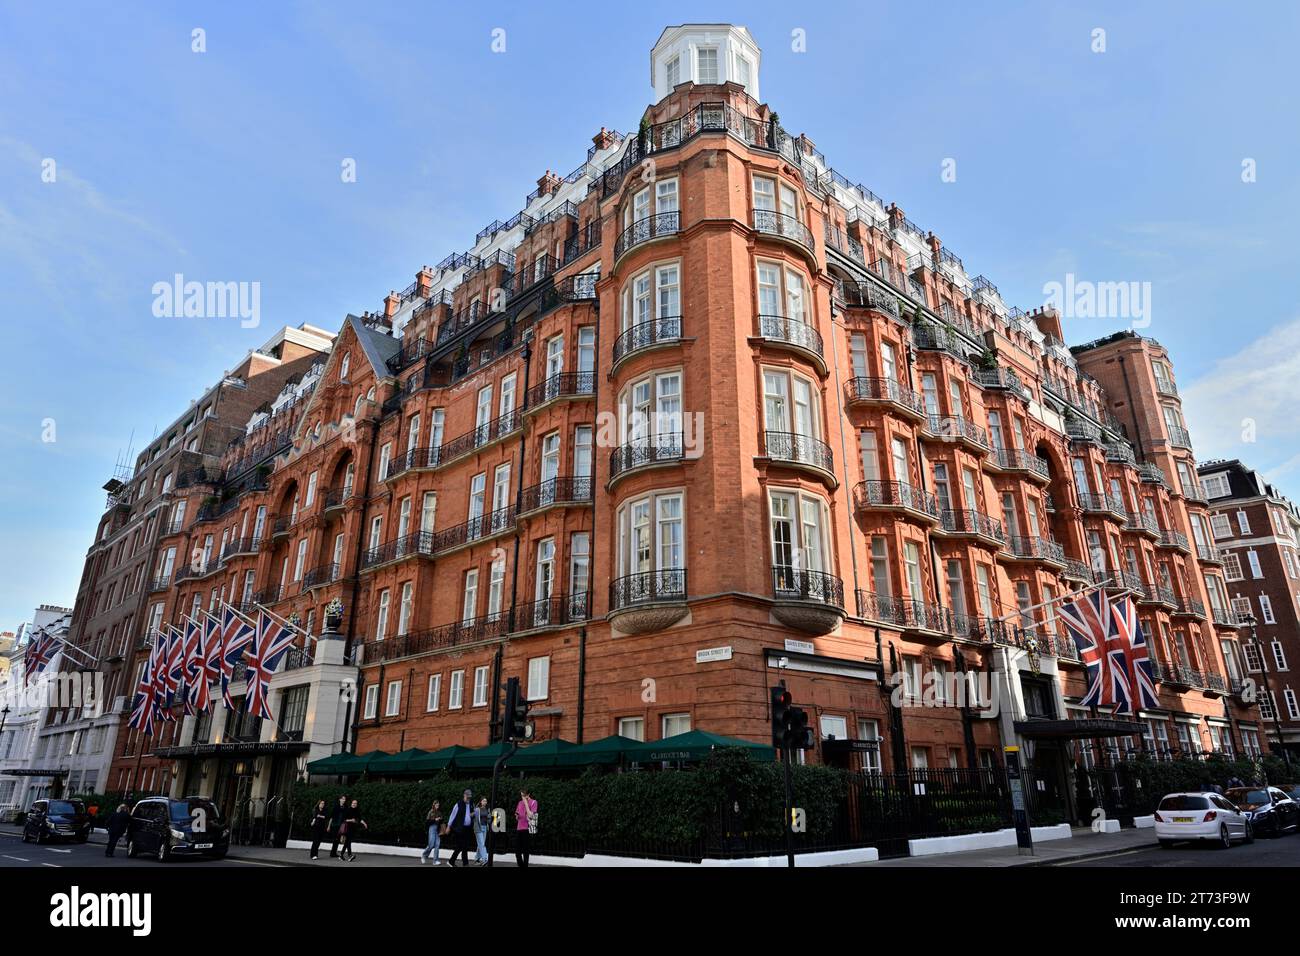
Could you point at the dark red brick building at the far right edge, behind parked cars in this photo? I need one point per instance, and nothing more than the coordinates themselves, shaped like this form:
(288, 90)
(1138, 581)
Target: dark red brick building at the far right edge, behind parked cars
(1256, 530)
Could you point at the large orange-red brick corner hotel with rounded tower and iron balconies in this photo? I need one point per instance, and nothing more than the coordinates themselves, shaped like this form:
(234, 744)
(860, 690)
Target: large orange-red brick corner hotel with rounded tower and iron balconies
(704, 416)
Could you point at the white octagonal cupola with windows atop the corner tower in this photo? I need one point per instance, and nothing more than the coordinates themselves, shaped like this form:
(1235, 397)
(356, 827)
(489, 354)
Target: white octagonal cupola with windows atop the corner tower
(705, 54)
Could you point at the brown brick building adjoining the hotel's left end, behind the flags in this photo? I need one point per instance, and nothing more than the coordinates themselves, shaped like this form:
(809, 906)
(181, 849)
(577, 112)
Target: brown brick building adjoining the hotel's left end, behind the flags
(144, 547)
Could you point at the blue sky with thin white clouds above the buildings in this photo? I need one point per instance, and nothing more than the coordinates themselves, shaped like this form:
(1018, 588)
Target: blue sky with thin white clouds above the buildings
(1124, 166)
